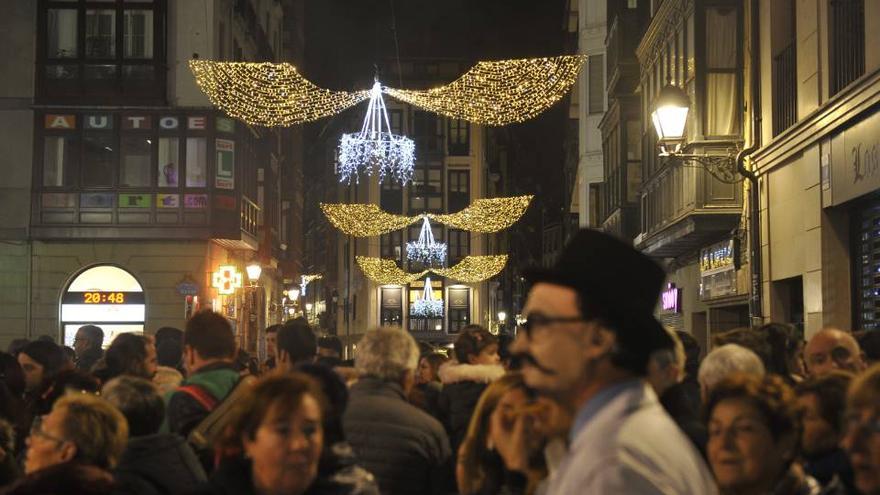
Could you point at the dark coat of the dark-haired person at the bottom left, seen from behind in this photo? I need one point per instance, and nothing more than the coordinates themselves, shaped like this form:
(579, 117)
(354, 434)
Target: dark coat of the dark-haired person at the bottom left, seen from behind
(158, 464)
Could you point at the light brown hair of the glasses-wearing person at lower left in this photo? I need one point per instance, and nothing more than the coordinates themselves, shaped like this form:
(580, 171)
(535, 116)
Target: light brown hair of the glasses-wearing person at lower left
(98, 429)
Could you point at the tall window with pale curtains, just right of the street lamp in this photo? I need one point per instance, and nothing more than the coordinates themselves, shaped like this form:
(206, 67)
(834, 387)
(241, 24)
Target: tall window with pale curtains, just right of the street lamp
(722, 95)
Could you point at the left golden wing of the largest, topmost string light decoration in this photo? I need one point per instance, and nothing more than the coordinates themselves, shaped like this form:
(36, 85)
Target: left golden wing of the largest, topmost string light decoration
(267, 94)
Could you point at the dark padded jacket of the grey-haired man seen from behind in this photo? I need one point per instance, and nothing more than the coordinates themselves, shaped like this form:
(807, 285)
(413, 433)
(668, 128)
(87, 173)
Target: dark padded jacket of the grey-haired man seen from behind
(404, 447)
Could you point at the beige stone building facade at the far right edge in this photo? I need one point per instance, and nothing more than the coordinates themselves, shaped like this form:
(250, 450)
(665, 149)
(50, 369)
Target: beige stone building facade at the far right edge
(818, 162)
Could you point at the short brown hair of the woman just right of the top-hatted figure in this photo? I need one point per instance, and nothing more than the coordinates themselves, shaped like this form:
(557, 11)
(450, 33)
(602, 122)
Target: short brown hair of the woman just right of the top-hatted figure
(770, 395)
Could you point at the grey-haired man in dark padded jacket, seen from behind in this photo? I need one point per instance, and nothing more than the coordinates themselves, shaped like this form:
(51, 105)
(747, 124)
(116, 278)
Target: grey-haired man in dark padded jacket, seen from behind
(404, 447)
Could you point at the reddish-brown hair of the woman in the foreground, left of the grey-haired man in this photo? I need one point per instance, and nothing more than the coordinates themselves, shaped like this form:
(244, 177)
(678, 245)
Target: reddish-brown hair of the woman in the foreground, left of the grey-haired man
(277, 392)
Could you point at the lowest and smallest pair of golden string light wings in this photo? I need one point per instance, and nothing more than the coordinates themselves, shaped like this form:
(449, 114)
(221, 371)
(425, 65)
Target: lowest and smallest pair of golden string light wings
(471, 269)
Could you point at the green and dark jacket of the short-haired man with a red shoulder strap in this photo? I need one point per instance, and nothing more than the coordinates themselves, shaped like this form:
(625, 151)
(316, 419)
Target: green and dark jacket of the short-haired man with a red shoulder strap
(185, 412)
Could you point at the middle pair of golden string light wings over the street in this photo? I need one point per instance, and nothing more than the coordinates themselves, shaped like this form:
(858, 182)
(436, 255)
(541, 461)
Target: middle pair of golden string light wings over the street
(484, 216)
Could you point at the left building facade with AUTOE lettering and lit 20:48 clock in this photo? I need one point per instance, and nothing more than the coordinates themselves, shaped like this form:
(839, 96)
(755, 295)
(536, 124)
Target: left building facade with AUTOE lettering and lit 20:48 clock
(127, 190)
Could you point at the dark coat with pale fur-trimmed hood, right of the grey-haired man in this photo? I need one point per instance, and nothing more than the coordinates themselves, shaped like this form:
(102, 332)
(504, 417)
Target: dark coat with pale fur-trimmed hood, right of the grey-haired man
(463, 384)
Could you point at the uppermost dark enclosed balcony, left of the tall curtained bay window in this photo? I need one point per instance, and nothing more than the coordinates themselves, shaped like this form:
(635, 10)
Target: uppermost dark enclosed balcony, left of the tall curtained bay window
(620, 44)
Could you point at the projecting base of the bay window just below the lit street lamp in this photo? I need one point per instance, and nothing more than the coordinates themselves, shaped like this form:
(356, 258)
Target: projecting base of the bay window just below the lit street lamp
(684, 208)
